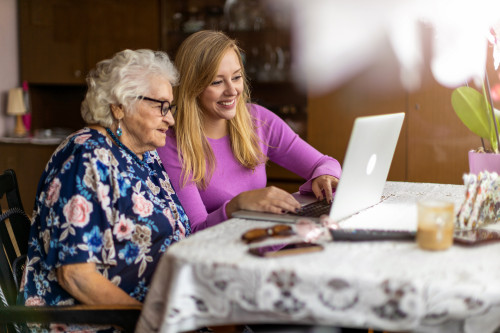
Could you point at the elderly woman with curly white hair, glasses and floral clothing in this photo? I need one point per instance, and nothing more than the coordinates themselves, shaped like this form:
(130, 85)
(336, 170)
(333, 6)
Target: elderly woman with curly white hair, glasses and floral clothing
(105, 209)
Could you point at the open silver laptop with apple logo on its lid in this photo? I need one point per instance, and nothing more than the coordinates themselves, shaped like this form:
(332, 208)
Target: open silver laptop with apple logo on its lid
(364, 172)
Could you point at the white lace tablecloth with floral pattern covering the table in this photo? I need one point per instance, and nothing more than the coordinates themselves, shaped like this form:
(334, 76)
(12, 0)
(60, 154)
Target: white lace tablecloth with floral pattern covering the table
(210, 279)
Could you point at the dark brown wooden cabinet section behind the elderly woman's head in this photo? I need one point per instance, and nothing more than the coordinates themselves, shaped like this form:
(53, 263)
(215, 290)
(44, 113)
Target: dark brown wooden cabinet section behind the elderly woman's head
(60, 41)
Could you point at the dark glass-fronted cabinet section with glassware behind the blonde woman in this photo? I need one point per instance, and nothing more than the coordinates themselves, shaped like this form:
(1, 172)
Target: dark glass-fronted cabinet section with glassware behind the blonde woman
(267, 56)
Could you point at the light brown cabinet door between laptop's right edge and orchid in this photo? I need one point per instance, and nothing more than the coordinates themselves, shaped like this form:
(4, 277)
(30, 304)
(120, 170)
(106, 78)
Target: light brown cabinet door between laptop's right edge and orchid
(437, 141)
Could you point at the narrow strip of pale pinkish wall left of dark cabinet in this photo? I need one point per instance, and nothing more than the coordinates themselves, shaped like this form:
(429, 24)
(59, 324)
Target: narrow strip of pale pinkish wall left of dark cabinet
(9, 63)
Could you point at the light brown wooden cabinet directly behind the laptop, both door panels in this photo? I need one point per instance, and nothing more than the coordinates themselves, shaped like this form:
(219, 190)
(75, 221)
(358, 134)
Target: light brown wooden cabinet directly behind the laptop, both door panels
(433, 143)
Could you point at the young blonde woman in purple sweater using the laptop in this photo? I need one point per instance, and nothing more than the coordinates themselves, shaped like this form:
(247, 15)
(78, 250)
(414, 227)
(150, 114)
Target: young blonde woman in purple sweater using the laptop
(217, 153)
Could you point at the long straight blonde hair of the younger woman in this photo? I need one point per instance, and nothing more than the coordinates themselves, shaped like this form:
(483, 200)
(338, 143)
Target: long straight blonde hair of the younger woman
(198, 60)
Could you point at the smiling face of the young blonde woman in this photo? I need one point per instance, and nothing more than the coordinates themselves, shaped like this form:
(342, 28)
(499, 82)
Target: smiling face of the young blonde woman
(220, 98)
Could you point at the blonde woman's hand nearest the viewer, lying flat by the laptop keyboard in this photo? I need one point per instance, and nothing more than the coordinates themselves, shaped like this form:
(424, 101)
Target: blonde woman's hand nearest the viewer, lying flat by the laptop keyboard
(269, 199)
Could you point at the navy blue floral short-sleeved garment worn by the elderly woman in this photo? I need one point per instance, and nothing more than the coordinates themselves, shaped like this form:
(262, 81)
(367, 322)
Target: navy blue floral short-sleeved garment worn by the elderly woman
(95, 203)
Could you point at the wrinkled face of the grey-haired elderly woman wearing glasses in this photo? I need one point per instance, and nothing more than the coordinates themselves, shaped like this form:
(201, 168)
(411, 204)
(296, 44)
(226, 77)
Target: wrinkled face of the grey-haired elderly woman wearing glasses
(145, 128)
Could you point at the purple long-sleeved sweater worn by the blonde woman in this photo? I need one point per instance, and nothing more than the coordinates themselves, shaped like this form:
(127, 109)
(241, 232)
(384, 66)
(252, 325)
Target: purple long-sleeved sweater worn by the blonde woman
(284, 147)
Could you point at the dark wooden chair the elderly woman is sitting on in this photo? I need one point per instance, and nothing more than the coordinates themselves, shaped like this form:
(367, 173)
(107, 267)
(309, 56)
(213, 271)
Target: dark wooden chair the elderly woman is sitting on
(14, 234)
